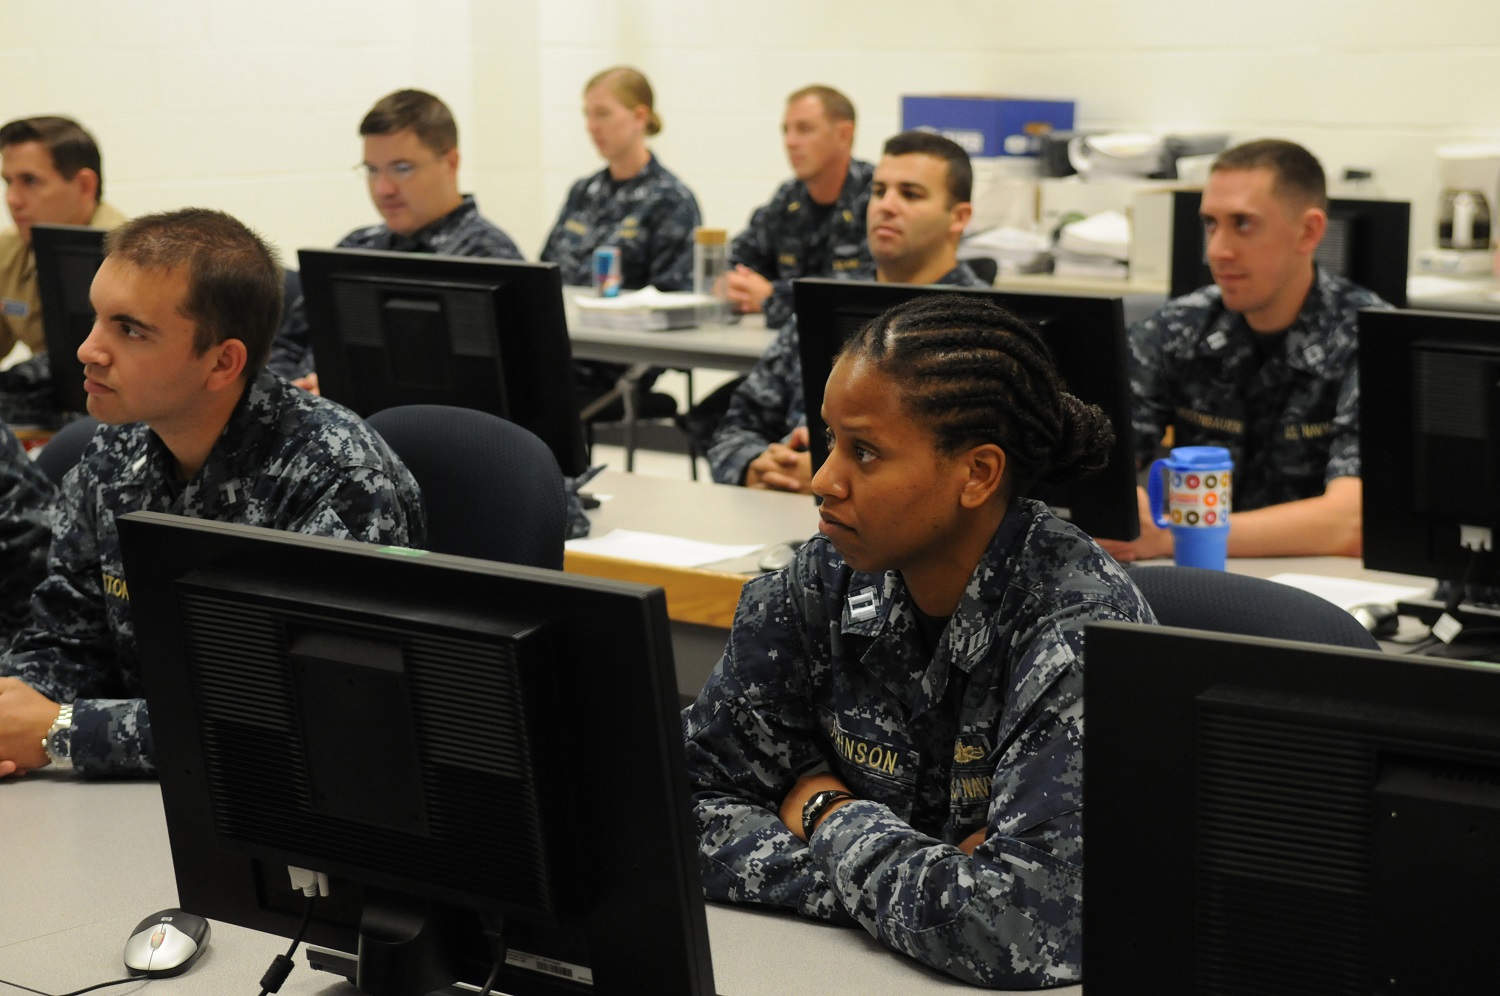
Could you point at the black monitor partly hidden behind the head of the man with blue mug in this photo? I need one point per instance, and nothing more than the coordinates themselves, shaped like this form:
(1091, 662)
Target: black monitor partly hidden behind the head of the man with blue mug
(1367, 242)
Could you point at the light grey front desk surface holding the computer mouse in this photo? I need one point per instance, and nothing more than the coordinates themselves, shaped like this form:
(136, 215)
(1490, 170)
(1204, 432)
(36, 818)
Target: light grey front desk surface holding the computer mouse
(89, 860)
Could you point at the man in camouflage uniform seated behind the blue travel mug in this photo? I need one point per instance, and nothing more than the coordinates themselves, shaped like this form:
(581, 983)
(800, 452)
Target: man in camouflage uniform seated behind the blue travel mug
(1262, 362)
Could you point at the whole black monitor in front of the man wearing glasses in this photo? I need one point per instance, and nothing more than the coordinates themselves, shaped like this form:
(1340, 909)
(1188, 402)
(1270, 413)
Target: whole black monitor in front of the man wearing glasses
(415, 329)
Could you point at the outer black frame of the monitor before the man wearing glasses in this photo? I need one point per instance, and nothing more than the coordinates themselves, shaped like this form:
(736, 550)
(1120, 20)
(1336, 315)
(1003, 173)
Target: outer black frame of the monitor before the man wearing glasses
(536, 362)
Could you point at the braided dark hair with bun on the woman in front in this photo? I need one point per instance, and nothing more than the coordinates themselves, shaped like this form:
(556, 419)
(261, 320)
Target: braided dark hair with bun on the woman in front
(977, 374)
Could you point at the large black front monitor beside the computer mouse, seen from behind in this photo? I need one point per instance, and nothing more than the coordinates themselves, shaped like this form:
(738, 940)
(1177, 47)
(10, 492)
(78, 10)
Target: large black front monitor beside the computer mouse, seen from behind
(455, 743)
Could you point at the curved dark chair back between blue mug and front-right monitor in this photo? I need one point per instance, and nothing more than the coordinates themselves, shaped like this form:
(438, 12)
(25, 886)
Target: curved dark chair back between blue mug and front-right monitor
(1217, 601)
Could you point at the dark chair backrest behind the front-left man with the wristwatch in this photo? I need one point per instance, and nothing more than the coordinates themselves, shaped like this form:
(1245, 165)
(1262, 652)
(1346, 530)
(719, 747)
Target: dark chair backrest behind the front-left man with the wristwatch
(491, 488)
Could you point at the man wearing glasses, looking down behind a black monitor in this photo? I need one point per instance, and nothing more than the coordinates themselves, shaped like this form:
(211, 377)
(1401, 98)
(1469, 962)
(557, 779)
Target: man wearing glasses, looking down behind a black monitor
(412, 161)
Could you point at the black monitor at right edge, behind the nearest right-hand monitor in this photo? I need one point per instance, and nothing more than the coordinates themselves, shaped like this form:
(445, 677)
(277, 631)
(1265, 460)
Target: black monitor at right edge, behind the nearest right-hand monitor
(1430, 446)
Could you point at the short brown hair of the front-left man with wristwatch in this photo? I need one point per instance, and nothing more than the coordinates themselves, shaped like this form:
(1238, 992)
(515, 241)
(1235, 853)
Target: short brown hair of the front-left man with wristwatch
(235, 278)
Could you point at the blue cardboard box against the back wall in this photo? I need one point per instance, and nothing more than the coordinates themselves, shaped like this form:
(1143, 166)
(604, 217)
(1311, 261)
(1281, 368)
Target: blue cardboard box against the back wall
(988, 125)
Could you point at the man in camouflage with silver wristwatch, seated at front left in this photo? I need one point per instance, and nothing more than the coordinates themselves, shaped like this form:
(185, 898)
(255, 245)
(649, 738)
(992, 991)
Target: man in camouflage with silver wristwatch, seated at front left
(187, 308)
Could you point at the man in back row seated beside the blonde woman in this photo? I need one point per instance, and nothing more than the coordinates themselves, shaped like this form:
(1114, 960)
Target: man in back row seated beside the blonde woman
(815, 223)
